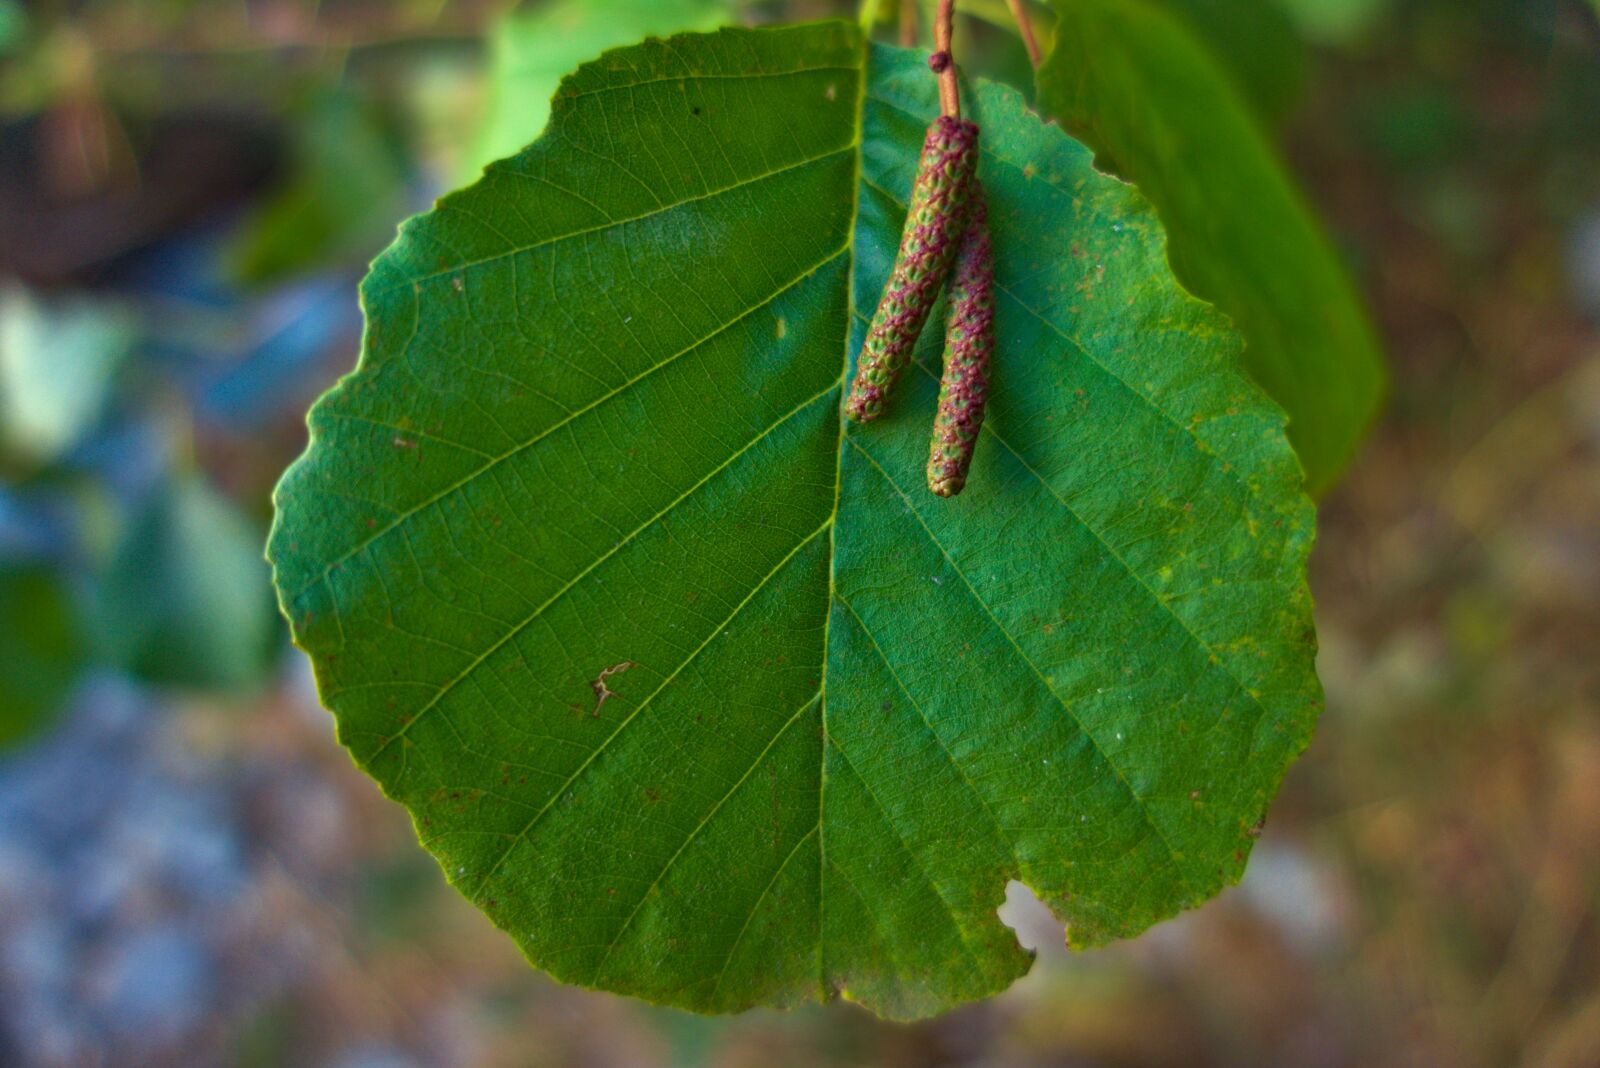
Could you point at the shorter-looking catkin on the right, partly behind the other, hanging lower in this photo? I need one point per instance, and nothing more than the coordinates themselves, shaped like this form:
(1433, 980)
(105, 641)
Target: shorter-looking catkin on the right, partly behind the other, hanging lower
(969, 346)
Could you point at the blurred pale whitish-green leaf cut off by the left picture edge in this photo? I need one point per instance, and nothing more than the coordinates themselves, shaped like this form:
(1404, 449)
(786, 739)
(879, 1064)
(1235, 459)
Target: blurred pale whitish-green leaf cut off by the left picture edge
(58, 362)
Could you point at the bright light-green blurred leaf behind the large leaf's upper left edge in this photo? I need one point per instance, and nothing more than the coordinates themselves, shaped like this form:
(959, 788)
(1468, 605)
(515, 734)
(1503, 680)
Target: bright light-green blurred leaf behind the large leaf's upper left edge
(530, 52)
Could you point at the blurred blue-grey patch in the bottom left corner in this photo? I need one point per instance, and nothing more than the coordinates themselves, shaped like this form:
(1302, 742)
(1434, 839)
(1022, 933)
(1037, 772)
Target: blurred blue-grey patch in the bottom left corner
(121, 872)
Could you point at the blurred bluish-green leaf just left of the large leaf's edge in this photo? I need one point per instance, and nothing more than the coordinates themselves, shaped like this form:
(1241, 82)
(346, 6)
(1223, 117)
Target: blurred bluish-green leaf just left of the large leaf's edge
(185, 600)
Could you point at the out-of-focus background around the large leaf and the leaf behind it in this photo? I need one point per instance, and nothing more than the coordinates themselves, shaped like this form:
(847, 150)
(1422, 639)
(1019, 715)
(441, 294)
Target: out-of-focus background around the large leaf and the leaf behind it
(193, 872)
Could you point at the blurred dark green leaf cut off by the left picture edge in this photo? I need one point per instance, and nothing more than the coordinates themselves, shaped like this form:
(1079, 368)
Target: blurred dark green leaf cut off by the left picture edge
(41, 648)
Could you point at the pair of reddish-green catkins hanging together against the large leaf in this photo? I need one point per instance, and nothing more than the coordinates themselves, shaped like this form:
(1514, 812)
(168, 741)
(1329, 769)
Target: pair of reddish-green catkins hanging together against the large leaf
(946, 237)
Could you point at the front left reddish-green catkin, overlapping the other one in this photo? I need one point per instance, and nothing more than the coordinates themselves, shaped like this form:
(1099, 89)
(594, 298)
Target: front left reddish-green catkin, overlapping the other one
(934, 233)
